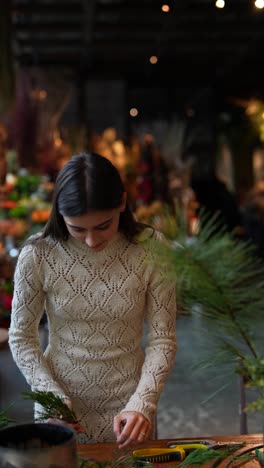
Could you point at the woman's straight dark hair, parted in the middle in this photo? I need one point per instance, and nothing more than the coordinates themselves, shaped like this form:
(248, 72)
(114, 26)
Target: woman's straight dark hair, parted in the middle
(88, 182)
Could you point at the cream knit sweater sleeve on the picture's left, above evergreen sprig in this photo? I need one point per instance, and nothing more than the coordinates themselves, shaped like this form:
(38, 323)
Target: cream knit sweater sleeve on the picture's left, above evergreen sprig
(27, 309)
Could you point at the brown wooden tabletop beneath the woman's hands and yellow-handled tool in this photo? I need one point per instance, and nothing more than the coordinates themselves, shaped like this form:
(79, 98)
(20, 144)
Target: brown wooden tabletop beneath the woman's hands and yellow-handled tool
(110, 451)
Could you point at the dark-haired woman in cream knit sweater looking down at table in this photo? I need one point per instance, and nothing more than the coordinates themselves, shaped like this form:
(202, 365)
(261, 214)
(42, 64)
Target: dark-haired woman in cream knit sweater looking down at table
(92, 270)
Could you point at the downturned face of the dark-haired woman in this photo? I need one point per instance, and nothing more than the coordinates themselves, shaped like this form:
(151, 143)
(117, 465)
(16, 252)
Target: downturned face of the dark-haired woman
(96, 228)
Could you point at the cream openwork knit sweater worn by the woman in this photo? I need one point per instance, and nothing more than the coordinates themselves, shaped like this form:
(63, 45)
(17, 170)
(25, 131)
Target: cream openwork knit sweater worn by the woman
(96, 304)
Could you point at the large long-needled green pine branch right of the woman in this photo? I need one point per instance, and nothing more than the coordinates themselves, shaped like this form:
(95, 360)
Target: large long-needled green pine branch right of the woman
(220, 278)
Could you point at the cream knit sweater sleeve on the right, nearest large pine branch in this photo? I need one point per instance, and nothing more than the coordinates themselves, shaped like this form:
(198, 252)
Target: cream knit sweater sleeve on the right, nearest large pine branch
(161, 346)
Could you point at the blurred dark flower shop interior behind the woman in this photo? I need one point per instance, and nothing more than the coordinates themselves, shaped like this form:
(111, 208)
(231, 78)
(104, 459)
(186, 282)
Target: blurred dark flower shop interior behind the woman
(172, 93)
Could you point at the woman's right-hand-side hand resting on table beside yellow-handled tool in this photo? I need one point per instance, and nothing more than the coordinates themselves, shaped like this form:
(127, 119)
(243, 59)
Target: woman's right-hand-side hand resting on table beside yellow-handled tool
(131, 427)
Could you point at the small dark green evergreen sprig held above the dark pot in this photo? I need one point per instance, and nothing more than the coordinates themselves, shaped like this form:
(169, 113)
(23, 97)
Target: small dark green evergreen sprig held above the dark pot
(53, 406)
